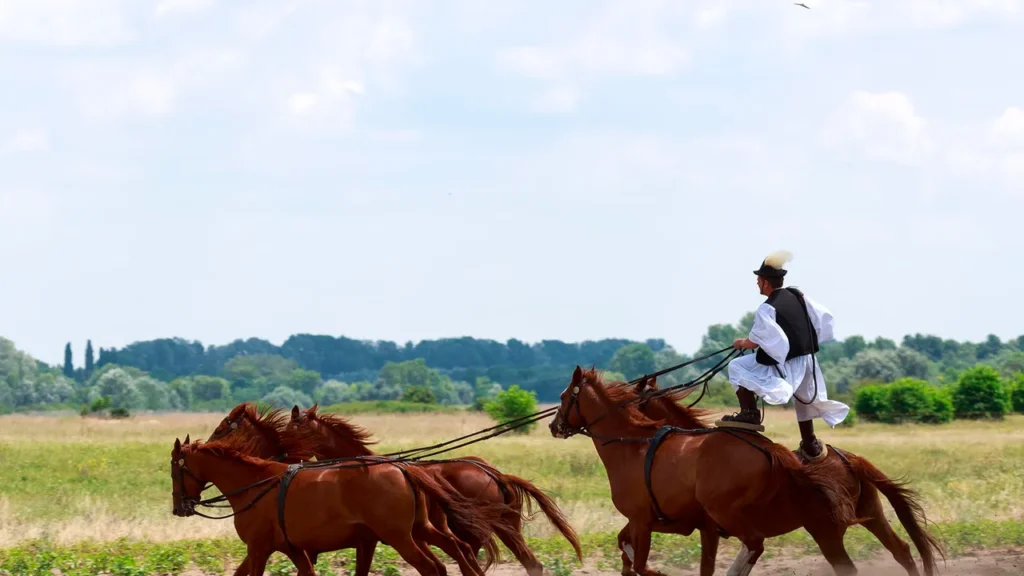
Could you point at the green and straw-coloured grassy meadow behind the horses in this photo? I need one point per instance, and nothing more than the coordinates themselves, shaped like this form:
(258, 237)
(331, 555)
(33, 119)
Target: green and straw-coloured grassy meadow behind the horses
(96, 496)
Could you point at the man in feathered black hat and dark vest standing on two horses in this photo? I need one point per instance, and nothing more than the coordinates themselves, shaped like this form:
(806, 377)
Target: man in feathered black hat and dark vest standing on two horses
(788, 328)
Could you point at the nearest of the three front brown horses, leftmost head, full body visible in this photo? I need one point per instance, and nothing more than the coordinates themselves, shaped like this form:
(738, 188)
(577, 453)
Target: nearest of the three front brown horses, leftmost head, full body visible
(322, 510)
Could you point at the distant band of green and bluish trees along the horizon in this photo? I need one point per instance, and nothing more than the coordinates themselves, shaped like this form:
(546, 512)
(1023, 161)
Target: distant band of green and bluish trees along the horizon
(175, 374)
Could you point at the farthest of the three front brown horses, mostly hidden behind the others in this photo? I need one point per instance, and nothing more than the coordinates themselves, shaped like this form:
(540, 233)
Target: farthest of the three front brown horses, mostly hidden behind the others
(473, 477)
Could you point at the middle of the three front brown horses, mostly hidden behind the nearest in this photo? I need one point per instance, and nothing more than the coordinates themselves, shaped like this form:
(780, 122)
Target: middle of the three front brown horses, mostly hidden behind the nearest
(268, 434)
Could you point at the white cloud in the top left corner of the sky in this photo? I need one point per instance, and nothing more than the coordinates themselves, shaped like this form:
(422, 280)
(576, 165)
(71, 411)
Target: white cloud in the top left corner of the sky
(65, 23)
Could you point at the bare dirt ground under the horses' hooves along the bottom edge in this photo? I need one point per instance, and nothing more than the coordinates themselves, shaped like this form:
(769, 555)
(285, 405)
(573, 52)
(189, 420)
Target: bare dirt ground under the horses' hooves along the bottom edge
(1005, 563)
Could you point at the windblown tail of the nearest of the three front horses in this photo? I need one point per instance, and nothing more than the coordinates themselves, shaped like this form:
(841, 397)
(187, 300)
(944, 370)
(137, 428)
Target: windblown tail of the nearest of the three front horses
(476, 520)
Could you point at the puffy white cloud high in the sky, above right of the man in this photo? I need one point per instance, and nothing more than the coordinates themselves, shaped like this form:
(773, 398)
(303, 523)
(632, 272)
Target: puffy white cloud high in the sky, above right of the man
(882, 127)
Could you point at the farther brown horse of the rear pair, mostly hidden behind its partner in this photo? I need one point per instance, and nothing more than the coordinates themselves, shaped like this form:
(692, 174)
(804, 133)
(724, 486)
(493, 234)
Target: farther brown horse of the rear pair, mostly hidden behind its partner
(861, 479)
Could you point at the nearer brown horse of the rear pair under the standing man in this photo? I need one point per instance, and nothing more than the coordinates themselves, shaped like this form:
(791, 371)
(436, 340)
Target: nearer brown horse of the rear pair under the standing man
(721, 482)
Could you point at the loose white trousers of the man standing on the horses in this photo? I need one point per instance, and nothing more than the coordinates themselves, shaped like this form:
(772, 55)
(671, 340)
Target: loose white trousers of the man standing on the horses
(766, 383)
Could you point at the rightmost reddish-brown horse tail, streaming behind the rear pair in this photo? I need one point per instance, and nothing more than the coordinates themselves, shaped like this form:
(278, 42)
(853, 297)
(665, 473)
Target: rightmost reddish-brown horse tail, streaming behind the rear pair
(909, 510)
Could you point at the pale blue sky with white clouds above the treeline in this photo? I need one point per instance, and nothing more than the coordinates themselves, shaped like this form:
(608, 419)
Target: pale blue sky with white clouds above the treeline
(410, 171)
